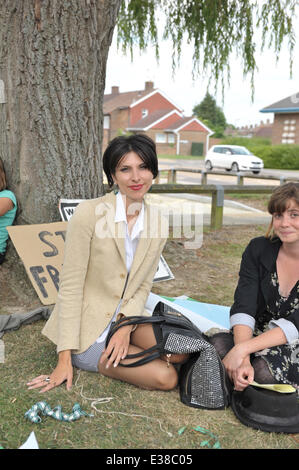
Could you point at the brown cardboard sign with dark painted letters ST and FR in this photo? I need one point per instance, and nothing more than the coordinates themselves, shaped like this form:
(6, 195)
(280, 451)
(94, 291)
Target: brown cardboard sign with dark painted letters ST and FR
(41, 249)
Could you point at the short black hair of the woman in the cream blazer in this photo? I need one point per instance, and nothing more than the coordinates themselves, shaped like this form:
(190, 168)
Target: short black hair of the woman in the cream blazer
(141, 144)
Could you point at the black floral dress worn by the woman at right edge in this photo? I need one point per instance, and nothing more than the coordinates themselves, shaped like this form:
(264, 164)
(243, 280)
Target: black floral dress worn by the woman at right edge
(283, 361)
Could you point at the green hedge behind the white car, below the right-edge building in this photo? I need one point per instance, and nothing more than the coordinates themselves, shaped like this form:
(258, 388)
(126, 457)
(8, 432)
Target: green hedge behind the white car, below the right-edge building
(282, 156)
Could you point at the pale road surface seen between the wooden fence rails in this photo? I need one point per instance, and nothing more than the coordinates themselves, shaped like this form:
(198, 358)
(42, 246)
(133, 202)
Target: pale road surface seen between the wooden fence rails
(194, 178)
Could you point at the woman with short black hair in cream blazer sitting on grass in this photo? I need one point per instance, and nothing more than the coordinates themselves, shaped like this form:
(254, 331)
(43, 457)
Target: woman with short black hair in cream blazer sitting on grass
(112, 250)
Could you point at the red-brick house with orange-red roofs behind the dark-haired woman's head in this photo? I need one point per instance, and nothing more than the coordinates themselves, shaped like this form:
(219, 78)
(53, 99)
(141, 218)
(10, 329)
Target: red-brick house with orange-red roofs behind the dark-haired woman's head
(150, 111)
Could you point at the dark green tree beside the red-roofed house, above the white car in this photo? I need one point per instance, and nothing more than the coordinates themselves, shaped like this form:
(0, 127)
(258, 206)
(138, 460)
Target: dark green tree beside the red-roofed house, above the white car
(211, 114)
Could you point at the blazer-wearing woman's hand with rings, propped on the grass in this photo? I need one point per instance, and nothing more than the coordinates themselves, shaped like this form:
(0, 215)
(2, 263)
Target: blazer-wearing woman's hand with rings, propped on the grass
(62, 373)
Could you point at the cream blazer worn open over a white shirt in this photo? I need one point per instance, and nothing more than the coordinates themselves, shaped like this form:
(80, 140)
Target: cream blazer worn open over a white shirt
(94, 276)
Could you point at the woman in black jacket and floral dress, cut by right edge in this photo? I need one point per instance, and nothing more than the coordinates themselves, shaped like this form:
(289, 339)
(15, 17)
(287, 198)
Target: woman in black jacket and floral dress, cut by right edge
(265, 315)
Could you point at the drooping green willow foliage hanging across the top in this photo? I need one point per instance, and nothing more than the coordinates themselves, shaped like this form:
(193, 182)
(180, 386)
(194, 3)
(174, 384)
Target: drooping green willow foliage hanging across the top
(215, 29)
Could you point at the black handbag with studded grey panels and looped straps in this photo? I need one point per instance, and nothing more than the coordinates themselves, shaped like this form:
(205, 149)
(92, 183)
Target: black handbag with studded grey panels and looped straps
(203, 380)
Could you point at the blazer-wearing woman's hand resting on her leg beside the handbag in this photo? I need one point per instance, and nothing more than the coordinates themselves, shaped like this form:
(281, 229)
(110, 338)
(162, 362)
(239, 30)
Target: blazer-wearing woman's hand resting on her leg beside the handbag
(117, 348)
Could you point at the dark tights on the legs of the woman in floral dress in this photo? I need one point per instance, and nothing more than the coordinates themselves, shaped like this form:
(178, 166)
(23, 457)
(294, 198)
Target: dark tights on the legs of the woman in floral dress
(223, 342)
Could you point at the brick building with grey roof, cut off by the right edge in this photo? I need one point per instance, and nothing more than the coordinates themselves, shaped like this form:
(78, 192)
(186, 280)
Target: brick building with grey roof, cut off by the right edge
(285, 129)
